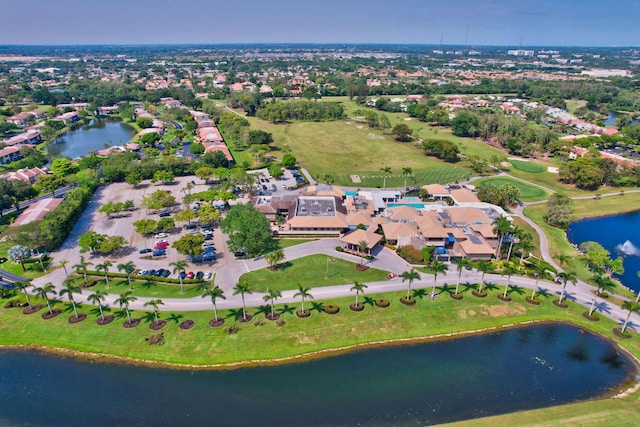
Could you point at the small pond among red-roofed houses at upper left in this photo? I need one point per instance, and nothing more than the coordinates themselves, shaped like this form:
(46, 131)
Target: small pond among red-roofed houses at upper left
(92, 137)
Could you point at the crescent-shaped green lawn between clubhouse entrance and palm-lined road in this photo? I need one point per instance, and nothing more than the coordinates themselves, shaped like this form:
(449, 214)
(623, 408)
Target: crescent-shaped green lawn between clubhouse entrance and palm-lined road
(310, 271)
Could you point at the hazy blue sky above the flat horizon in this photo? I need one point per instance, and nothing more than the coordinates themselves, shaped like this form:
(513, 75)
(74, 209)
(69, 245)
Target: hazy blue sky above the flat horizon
(472, 22)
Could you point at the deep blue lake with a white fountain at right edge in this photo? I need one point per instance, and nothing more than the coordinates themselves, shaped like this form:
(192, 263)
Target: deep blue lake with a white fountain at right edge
(620, 234)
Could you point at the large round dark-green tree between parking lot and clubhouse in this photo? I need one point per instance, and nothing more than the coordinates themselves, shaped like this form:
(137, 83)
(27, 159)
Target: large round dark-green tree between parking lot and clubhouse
(248, 230)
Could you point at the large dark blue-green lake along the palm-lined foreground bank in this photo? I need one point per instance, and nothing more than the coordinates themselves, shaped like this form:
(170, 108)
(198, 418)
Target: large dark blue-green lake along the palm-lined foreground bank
(516, 369)
